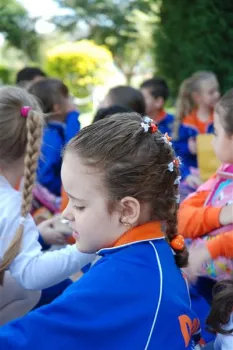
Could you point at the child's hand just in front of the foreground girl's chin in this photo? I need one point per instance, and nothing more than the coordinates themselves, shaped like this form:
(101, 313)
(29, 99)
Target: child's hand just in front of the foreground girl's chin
(50, 234)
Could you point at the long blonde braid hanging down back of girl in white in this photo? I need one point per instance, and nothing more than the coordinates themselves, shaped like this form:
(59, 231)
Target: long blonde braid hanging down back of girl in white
(34, 132)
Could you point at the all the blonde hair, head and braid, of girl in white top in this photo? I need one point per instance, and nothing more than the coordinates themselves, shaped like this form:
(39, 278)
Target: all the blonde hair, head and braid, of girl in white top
(19, 136)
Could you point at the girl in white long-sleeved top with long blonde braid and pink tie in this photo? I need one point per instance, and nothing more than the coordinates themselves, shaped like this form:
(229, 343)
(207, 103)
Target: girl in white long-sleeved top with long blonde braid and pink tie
(21, 125)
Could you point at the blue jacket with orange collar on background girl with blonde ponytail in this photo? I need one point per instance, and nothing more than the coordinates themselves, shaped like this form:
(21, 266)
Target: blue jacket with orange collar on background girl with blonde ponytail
(189, 128)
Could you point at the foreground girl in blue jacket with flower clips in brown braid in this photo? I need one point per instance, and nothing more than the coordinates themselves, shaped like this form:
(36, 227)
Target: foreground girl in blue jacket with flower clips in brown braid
(122, 178)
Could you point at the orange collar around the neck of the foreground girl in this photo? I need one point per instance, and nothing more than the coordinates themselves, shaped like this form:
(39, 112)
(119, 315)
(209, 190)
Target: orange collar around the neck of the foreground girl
(146, 232)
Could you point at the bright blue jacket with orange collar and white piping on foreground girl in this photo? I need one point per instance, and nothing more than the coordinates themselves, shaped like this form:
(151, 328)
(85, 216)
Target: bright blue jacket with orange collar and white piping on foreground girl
(133, 298)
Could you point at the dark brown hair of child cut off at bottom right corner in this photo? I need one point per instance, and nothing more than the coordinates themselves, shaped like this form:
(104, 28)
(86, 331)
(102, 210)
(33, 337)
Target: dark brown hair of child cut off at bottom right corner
(222, 305)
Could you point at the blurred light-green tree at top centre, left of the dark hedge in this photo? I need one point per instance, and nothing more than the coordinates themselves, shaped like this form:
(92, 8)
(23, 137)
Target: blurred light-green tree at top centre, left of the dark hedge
(122, 26)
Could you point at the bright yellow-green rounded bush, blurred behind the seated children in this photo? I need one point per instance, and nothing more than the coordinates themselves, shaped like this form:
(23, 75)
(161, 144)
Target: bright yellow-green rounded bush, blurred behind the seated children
(81, 65)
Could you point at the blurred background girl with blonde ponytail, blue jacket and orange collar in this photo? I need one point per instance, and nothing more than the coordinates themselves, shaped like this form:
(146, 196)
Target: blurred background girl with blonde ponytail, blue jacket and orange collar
(194, 115)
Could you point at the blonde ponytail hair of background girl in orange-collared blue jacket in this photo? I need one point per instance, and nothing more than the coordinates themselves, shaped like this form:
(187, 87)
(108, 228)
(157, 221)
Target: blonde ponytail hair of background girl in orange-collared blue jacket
(185, 103)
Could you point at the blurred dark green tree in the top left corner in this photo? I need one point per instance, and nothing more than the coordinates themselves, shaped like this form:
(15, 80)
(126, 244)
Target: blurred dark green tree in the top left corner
(18, 29)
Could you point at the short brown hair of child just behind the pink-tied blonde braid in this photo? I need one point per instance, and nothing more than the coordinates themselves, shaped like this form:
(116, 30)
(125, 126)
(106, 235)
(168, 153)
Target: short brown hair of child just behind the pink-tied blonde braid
(49, 92)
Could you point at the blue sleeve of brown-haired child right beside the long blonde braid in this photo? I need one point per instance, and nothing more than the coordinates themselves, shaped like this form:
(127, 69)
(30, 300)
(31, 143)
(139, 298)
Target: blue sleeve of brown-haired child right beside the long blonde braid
(49, 166)
